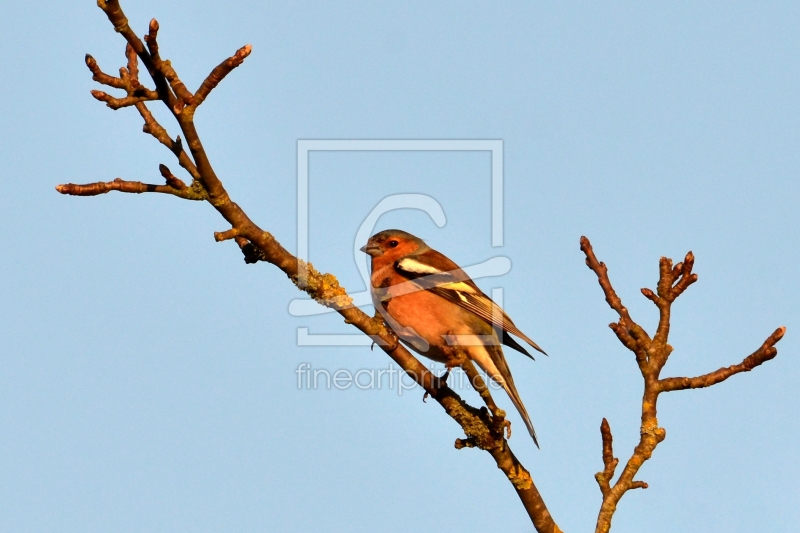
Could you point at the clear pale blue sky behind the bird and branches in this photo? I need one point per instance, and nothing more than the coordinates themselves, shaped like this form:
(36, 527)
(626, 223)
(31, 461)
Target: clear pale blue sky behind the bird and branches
(148, 376)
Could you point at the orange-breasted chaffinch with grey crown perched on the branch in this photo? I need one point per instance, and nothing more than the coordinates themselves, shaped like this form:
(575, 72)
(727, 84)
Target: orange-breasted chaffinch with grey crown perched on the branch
(430, 303)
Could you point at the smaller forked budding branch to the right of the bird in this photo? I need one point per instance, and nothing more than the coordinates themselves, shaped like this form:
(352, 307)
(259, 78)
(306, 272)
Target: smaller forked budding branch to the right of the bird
(651, 356)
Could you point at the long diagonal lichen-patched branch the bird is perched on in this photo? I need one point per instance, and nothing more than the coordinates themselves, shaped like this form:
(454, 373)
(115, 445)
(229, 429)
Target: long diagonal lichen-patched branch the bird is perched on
(479, 427)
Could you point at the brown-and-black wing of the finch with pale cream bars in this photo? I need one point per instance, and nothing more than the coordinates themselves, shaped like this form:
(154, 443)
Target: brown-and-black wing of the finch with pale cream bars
(438, 274)
